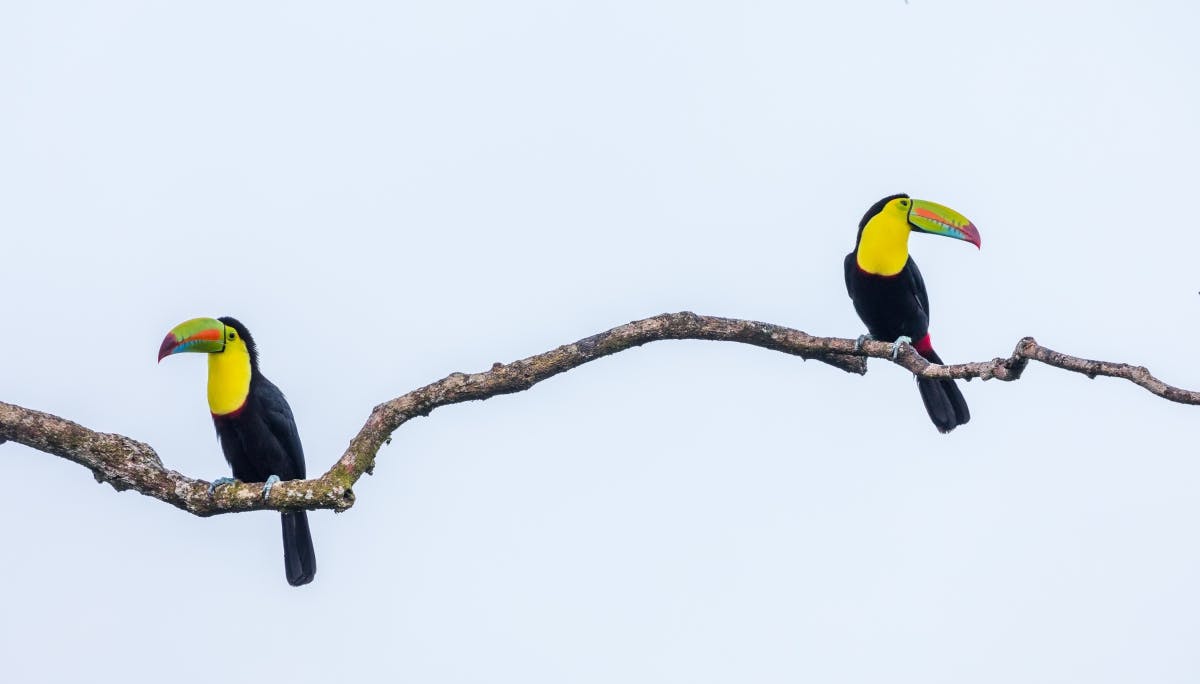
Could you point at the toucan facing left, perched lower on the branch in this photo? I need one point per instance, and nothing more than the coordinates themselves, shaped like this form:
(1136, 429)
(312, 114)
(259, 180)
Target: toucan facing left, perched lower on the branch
(254, 422)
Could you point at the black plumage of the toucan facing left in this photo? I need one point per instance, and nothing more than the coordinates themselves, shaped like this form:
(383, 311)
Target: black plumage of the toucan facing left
(261, 440)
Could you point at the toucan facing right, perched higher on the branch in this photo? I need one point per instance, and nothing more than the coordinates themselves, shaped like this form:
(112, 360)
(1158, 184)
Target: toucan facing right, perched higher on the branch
(890, 295)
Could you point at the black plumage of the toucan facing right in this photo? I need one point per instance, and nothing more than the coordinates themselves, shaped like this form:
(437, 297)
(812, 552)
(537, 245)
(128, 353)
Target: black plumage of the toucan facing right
(895, 307)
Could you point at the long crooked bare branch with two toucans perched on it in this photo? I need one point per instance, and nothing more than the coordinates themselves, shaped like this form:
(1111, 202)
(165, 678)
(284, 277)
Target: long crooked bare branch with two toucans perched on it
(130, 465)
